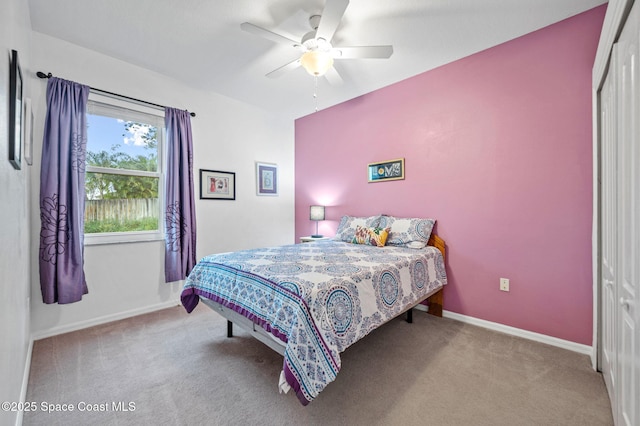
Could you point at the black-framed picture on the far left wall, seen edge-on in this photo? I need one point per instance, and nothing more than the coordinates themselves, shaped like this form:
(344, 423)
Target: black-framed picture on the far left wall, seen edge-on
(15, 111)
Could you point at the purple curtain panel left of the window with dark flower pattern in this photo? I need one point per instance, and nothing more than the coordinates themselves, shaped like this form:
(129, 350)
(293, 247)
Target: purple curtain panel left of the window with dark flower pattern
(62, 192)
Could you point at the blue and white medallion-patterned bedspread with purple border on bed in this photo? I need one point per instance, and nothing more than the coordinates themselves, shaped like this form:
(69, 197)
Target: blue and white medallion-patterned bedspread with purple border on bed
(318, 298)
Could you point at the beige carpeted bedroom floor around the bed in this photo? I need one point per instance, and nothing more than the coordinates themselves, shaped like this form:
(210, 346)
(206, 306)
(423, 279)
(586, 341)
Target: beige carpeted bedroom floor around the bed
(180, 369)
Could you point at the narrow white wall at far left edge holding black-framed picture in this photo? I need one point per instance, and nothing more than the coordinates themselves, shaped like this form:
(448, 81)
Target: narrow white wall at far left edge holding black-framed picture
(15, 33)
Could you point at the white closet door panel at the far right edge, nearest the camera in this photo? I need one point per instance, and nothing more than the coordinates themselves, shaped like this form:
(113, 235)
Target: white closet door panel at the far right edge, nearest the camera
(628, 234)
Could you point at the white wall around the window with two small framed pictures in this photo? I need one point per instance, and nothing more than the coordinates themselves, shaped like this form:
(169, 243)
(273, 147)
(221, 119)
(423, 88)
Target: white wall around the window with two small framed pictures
(126, 279)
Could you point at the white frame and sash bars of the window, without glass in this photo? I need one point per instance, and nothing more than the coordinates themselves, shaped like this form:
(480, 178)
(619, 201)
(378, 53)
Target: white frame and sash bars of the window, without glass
(117, 103)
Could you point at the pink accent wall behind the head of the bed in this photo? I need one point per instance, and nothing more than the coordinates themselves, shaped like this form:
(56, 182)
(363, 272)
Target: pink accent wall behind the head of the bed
(498, 149)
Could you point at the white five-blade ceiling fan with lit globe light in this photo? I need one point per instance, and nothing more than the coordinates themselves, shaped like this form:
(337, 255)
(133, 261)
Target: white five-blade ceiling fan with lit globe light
(317, 52)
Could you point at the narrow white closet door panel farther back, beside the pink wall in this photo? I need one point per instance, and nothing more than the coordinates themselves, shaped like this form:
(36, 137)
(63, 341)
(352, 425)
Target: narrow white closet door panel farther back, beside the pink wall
(608, 184)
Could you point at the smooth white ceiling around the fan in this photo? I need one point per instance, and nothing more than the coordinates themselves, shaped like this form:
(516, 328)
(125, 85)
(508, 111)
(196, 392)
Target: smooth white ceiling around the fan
(199, 42)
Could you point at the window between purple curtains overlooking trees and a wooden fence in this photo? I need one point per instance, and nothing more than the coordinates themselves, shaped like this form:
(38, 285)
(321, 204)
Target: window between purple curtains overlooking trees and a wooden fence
(123, 171)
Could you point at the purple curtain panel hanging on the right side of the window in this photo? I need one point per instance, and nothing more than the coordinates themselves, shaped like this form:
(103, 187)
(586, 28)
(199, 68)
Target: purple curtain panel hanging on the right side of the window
(180, 247)
